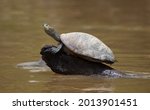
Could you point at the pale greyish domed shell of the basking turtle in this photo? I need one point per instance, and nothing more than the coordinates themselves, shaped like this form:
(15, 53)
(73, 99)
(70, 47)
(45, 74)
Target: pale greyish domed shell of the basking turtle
(87, 46)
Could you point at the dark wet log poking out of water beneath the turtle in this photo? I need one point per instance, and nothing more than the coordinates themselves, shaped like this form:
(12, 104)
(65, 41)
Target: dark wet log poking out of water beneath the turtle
(63, 63)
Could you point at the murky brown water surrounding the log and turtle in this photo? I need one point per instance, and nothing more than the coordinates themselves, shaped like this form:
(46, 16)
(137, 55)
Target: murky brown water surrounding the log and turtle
(122, 25)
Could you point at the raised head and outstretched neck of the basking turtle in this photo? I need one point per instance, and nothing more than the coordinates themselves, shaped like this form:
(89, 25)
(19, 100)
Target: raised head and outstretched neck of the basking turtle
(51, 31)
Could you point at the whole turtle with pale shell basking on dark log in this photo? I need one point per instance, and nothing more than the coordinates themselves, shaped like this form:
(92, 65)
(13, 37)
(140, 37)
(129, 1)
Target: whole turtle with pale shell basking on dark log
(80, 44)
